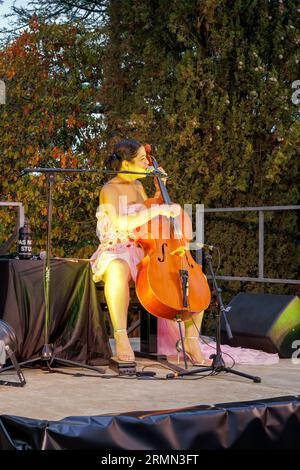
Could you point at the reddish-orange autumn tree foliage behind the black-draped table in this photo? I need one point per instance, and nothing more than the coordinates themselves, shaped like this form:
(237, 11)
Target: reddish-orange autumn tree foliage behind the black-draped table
(52, 118)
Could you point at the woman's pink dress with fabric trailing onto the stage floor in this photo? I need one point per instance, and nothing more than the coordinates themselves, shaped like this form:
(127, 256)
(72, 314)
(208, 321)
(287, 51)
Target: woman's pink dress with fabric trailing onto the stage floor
(124, 245)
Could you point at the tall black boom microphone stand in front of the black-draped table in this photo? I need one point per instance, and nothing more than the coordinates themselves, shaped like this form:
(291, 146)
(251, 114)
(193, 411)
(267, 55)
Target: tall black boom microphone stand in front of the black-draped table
(47, 355)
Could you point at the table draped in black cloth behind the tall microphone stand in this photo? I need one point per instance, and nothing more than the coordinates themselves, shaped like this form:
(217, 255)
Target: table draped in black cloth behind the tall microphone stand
(76, 325)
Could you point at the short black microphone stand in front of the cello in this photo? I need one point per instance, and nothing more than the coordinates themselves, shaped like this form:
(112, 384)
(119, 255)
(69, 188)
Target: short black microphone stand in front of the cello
(218, 364)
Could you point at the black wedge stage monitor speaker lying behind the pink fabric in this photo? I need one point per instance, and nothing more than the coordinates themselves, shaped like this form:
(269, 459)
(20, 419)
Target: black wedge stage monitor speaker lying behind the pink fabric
(265, 322)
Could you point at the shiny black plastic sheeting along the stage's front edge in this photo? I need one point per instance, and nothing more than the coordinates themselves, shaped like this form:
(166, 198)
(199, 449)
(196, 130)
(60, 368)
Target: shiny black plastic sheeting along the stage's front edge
(273, 423)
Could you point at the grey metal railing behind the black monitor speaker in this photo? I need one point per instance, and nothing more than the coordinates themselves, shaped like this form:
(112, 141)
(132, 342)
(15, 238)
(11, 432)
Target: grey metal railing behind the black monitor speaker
(261, 240)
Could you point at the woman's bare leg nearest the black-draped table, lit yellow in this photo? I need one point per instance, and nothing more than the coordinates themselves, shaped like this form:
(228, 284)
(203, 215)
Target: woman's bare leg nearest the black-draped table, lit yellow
(116, 289)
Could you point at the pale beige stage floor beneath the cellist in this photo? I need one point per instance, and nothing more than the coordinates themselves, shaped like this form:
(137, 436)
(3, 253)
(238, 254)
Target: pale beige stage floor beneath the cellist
(54, 396)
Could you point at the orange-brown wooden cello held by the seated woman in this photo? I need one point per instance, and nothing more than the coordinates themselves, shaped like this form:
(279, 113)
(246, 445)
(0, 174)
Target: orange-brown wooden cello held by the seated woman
(170, 284)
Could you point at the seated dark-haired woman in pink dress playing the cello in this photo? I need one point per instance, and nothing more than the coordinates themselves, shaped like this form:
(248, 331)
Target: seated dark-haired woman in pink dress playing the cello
(121, 210)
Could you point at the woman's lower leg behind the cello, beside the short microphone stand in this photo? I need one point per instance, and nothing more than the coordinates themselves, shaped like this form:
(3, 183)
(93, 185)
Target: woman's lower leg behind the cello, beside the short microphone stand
(191, 340)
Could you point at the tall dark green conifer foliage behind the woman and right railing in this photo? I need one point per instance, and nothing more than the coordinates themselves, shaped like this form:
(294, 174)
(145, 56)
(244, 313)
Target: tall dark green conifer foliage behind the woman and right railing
(210, 84)
